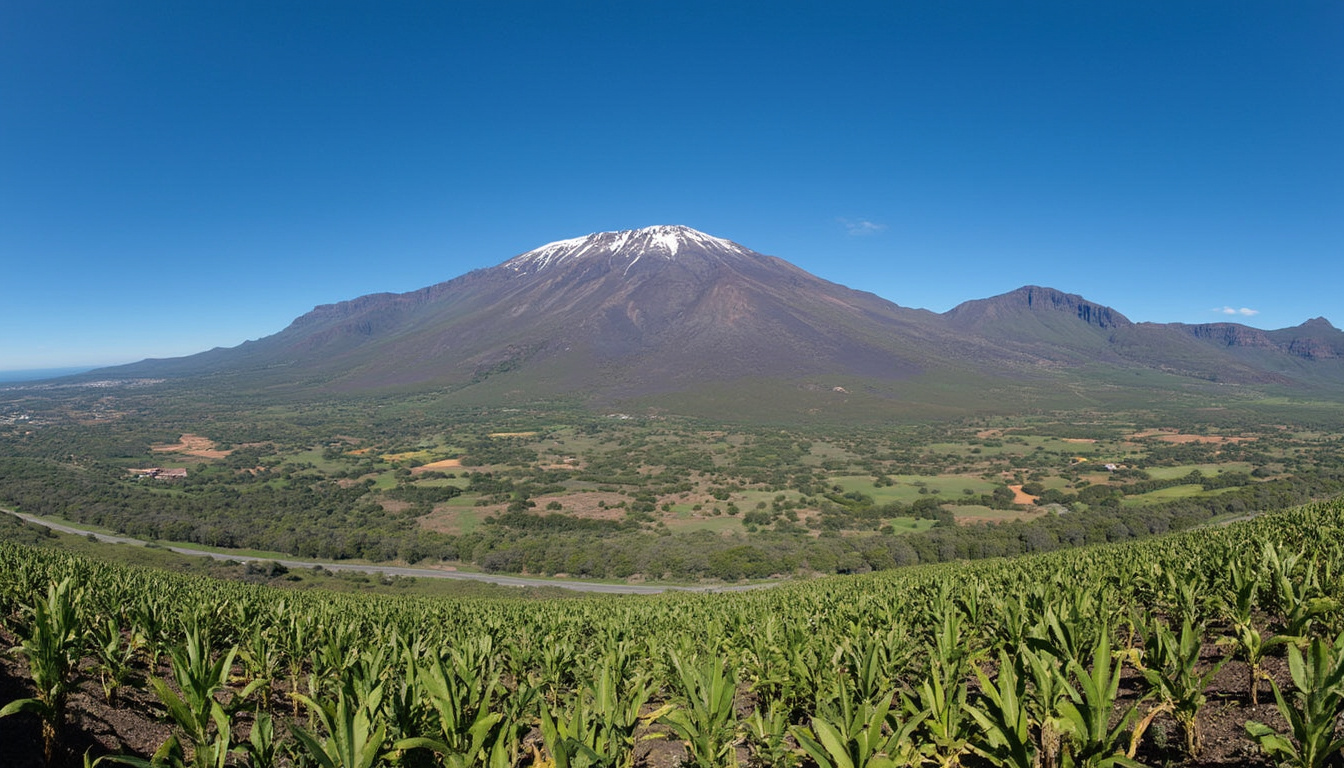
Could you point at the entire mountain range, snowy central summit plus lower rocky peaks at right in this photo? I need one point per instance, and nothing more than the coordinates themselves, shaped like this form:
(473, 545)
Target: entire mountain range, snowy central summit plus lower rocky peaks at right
(669, 310)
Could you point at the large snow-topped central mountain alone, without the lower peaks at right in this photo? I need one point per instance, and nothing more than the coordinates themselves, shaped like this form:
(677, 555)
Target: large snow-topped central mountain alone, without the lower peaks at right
(619, 314)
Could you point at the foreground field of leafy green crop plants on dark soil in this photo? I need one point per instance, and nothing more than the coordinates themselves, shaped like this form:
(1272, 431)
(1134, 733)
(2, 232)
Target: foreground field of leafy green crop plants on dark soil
(1076, 658)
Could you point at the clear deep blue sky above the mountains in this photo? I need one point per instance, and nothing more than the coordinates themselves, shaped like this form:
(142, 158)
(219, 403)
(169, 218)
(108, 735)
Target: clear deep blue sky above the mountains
(177, 177)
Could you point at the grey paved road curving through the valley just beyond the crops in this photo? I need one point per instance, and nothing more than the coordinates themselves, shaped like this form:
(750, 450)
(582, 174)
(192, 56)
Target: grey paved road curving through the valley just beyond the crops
(401, 571)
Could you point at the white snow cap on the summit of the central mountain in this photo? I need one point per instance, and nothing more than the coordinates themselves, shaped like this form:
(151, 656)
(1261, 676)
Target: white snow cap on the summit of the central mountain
(659, 241)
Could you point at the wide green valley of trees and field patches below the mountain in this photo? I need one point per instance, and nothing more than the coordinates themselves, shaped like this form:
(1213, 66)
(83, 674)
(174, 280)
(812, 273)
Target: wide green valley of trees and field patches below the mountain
(549, 490)
